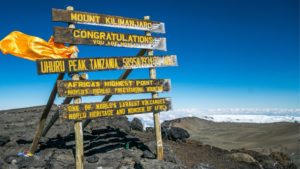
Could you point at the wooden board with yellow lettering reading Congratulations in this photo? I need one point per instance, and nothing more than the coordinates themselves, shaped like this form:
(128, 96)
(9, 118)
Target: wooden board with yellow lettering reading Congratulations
(101, 38)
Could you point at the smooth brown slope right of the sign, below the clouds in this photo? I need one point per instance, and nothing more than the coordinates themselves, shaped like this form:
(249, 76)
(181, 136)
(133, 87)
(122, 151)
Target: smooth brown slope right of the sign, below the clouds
(264, 138)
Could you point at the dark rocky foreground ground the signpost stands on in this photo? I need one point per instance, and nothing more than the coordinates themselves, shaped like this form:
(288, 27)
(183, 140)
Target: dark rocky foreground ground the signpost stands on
(116, 143)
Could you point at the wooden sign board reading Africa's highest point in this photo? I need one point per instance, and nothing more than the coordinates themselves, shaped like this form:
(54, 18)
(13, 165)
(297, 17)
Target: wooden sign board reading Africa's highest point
(76, 88)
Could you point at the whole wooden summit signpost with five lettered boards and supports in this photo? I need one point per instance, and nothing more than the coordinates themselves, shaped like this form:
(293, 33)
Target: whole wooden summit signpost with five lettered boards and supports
(80, 86)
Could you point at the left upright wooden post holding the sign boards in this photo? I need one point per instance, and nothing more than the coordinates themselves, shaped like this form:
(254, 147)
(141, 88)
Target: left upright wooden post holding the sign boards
(77, 124)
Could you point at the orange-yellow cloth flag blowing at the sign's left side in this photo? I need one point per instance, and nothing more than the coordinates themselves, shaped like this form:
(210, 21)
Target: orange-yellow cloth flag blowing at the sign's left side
(33, 48)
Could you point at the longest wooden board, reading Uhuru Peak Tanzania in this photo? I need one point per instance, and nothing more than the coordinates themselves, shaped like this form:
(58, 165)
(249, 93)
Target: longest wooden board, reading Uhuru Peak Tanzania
(48, 66)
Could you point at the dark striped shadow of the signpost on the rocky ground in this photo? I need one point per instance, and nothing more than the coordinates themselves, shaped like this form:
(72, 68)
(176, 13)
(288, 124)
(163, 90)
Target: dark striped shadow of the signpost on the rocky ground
(98, 141)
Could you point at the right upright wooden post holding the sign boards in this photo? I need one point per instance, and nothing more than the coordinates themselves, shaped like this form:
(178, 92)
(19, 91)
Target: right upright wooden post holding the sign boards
(157, 127)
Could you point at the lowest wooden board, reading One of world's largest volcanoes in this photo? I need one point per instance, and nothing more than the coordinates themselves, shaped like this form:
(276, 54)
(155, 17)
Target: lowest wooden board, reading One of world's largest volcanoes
(114, 108)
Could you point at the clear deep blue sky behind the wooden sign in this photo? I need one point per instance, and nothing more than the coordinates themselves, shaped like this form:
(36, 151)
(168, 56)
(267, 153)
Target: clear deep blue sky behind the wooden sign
(231, 53)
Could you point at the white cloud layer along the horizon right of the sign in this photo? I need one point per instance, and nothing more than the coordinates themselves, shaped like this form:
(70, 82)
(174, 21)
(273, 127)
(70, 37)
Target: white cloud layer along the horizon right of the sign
(227, 115)
